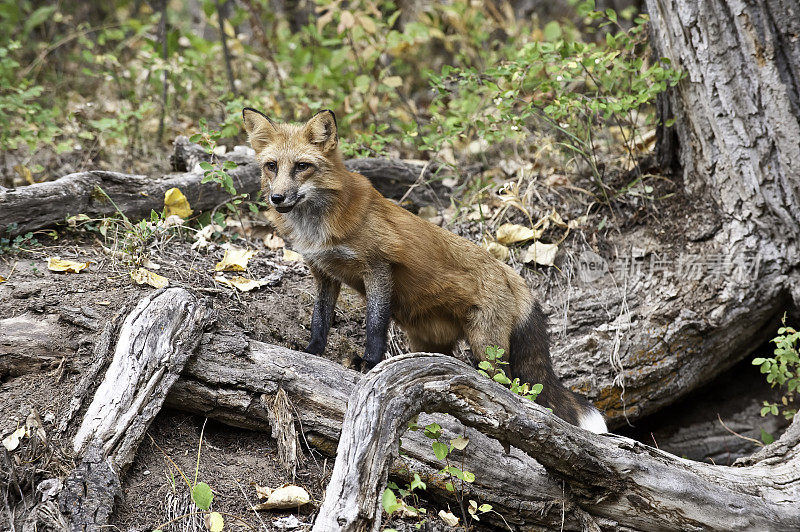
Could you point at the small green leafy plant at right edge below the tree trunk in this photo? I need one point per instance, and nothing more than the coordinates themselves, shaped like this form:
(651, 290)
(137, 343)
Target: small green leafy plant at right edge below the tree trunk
(783, 370)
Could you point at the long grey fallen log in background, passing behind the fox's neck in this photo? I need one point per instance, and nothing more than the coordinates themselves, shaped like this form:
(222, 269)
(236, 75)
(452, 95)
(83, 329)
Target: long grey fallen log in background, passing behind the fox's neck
(45, 204)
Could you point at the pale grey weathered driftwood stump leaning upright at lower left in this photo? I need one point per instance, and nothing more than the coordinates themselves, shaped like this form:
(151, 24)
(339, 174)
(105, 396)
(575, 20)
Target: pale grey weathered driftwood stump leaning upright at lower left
(152, 347)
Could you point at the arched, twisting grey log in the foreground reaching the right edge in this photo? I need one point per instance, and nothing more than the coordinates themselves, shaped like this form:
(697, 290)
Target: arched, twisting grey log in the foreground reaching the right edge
(611, 477)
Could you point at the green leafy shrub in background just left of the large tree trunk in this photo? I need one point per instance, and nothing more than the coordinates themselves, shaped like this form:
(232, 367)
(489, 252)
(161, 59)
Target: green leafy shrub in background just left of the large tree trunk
(564, 85)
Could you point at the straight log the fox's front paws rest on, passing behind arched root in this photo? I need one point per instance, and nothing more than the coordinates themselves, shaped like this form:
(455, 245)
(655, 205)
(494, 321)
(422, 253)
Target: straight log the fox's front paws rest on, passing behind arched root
(234, 380)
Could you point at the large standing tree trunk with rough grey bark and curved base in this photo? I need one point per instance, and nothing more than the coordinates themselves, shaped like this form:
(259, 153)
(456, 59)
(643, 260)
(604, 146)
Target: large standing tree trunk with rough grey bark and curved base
(738, 124)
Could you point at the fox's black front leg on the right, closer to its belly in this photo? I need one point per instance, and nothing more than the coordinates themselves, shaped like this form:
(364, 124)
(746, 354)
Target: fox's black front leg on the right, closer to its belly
(378, 288)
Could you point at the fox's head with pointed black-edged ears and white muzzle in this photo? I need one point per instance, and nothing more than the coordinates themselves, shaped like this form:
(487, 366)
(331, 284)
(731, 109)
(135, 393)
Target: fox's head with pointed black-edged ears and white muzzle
(299, 163)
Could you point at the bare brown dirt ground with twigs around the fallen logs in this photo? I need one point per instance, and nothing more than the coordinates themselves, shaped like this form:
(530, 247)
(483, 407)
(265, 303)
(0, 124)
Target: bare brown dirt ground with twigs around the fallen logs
(70, 309)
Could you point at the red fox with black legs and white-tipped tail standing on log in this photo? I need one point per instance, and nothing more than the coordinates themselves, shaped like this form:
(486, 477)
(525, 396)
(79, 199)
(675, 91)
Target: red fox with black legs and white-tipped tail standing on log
(437, 286)
